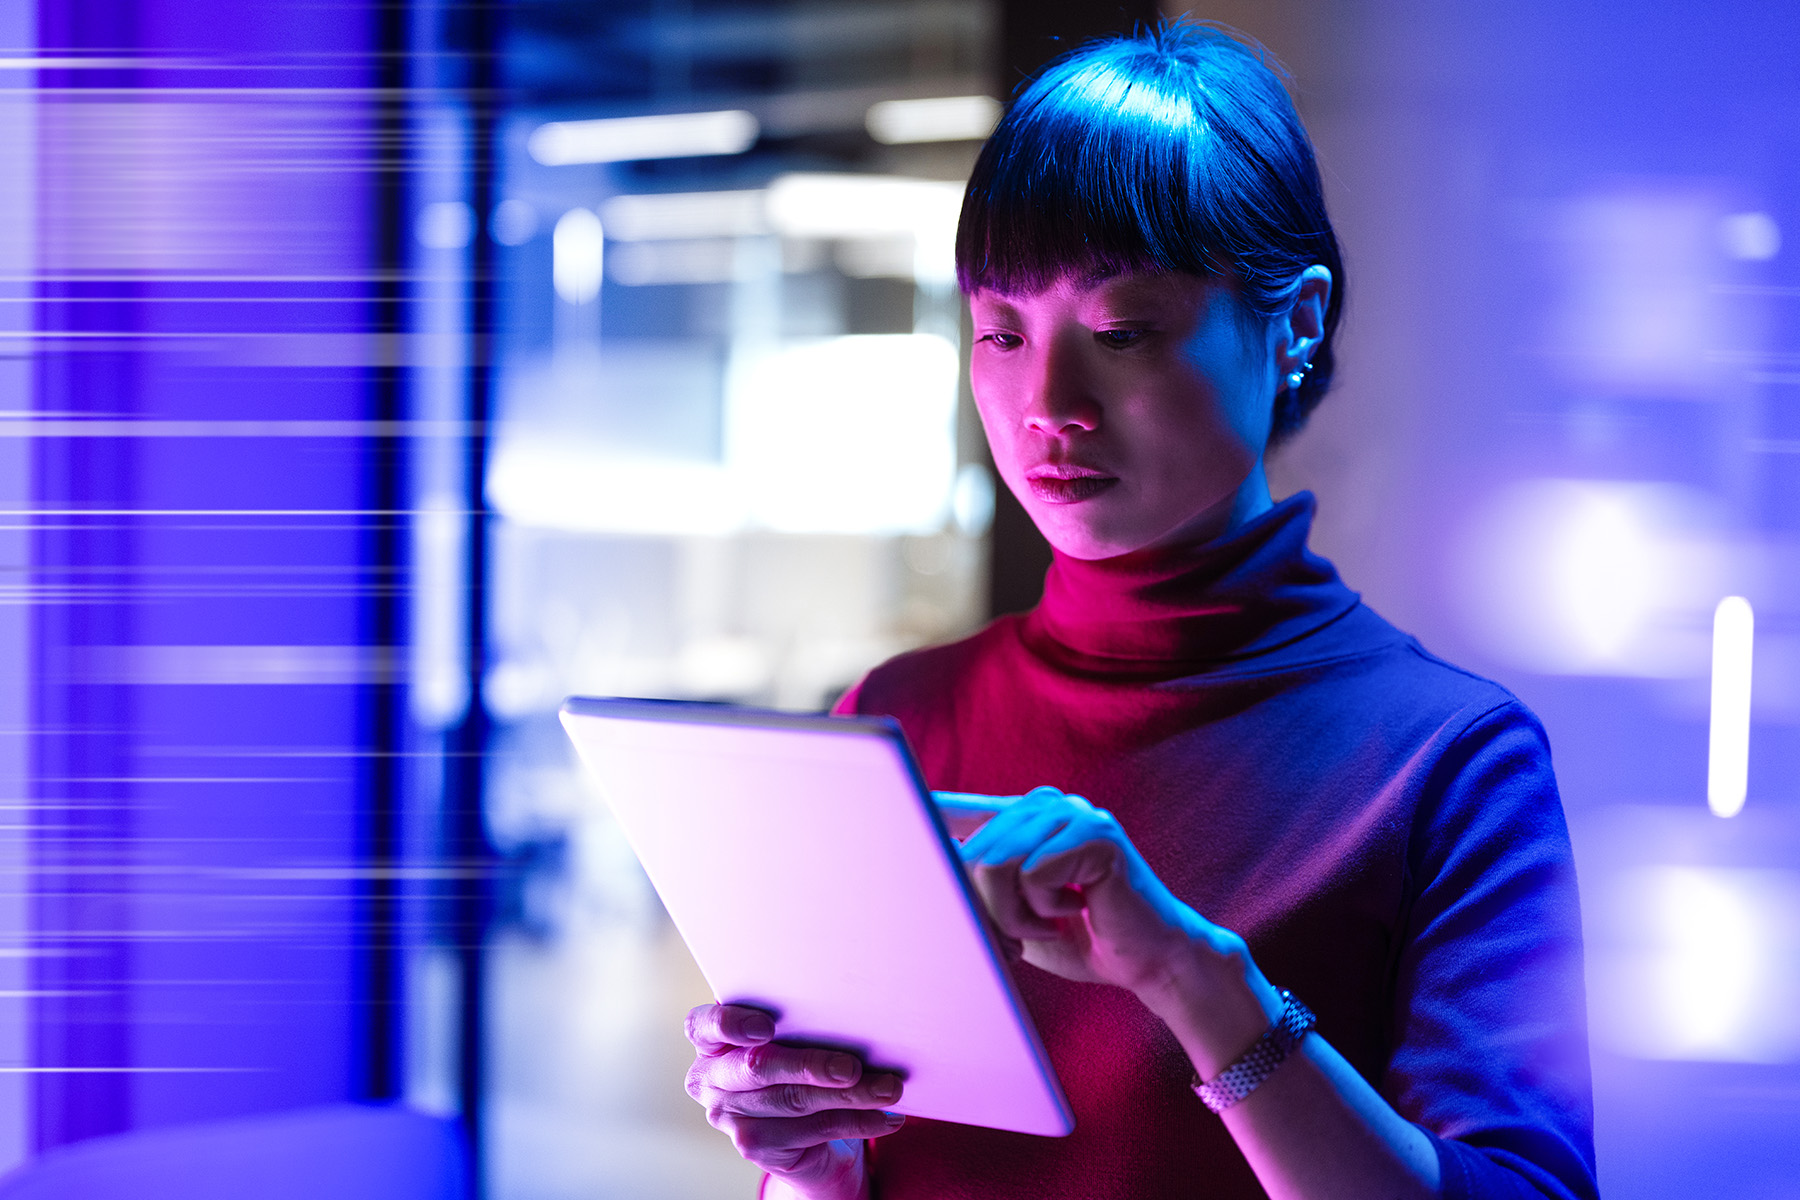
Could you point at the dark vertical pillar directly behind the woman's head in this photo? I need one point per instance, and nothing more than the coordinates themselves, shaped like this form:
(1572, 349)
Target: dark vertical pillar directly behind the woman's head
(1032, 35)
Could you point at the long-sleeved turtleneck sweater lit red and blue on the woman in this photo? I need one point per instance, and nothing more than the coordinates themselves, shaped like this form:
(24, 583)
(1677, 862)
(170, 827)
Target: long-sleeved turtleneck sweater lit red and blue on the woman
(1381, 828)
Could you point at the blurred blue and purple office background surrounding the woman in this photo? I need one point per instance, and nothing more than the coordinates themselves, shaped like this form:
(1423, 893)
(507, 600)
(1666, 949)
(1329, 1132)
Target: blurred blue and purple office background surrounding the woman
(377, 375)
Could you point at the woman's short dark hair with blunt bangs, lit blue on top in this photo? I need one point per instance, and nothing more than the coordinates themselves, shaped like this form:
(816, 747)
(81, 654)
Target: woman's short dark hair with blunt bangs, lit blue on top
(1171, 150)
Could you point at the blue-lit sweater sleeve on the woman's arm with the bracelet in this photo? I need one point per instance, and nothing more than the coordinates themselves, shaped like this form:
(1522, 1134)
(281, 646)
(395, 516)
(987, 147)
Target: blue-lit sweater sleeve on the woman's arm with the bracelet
(1491, 1030)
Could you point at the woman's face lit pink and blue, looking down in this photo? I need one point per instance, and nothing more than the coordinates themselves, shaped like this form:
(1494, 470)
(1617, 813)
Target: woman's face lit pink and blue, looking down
(1124, 411)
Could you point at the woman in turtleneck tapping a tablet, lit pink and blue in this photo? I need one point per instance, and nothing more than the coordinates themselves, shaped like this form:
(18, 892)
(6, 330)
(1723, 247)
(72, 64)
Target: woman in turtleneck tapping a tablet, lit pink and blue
(1293, 789)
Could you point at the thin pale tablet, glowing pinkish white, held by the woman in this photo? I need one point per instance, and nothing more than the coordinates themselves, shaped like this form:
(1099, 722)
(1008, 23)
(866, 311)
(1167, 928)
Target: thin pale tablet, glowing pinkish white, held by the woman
(811, 877)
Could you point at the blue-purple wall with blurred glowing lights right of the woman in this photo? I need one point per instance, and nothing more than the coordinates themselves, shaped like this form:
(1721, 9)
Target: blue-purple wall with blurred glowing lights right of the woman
(1565, 433)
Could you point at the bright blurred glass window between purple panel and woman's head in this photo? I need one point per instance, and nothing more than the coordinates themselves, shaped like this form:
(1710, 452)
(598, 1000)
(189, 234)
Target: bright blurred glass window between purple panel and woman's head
(732, 460)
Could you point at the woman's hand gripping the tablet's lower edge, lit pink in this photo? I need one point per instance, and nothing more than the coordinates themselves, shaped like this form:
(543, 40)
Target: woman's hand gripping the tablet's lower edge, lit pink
(796, 1113)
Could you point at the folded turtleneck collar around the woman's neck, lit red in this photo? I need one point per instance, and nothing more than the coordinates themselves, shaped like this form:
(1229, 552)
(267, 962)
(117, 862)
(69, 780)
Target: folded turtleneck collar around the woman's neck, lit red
(1174, 611)
